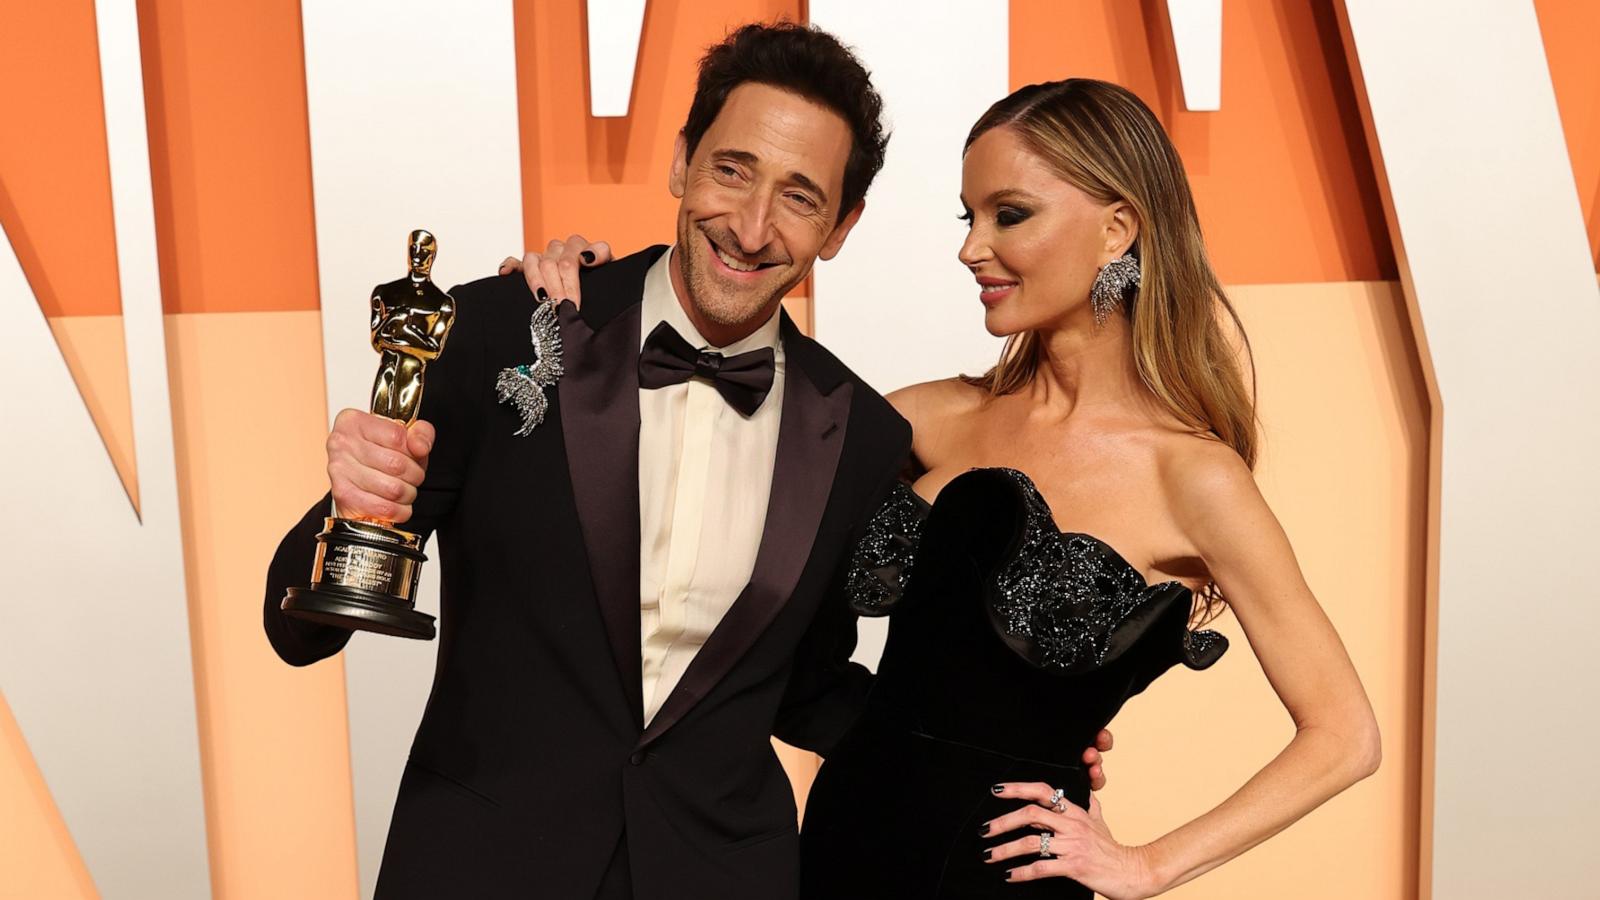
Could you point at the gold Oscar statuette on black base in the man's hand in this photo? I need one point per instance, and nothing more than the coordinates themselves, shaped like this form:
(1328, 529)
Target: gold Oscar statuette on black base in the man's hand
(367, 571)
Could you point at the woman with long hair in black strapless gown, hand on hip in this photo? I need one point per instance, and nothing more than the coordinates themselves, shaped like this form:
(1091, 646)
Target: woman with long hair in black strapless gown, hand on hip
(1022, 625)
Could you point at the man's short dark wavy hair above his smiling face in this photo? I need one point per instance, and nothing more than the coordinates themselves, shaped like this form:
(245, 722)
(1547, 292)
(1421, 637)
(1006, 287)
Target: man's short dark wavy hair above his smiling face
(806, 62)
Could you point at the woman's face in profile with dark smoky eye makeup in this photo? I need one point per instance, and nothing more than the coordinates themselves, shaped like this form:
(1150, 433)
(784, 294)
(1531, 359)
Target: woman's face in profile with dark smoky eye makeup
(1036, 241)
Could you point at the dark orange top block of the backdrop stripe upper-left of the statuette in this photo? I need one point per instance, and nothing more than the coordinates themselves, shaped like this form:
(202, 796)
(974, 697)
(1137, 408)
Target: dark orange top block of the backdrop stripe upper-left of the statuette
(230, 155)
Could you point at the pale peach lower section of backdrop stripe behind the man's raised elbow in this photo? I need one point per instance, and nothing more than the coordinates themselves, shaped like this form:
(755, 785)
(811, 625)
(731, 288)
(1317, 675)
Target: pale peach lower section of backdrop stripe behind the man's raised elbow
(274, 741)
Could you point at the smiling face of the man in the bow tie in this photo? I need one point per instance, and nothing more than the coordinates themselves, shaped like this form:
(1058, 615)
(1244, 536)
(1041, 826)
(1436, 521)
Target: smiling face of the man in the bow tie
(759, 203)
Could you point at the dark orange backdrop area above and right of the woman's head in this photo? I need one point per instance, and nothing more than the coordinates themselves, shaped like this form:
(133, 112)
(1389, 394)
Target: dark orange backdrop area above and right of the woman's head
(1281, 174)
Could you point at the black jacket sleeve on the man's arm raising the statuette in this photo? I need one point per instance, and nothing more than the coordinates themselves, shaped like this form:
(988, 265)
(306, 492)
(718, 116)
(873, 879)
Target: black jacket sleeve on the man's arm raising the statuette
(454, 392)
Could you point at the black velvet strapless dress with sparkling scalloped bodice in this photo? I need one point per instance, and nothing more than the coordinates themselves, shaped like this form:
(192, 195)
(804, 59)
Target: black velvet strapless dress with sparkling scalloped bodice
(1010, 646)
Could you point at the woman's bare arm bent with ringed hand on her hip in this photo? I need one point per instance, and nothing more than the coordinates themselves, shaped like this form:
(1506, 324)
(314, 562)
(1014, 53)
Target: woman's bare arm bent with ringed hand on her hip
(1335, 744)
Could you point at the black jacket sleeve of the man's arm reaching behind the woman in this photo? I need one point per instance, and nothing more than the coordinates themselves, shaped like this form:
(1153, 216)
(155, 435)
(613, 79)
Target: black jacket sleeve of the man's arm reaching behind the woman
(826, 689)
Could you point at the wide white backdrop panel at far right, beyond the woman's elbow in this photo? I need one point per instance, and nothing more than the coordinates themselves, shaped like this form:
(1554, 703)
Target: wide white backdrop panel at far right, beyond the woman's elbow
(1495, 255)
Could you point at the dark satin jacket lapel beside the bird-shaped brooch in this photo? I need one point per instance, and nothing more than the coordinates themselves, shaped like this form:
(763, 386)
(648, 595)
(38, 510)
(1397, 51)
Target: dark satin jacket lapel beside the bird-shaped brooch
(601, 428)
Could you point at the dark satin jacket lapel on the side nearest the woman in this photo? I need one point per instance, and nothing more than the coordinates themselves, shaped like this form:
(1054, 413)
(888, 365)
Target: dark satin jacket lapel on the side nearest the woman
(810, 440)
